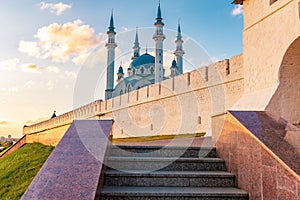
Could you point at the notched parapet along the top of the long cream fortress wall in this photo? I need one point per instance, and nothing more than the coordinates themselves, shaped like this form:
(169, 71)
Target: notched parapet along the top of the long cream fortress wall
(223, 73)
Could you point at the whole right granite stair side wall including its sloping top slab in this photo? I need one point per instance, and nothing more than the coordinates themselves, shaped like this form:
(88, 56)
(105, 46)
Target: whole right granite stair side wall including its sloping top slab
(247, 144)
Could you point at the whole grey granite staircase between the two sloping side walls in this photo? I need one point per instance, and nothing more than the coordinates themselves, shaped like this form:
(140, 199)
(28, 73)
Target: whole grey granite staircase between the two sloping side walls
(168, 173)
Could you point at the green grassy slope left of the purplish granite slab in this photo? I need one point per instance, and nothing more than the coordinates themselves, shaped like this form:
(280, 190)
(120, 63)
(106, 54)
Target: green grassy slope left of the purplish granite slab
(18, 169)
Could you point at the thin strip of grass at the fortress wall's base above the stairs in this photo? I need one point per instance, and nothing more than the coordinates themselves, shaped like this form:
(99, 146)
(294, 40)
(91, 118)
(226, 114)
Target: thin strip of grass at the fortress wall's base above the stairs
(161, 137)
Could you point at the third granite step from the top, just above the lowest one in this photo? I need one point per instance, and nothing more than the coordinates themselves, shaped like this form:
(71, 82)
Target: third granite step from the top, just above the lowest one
(170, 179)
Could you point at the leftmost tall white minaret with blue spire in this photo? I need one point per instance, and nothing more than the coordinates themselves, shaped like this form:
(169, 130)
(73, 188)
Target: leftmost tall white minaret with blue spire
(110, 45)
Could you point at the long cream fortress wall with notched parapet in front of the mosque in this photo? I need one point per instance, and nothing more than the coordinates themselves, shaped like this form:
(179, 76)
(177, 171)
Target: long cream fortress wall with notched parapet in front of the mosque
(183, 104)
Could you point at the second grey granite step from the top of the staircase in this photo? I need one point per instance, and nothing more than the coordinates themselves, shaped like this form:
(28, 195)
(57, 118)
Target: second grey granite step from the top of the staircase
(166, 164)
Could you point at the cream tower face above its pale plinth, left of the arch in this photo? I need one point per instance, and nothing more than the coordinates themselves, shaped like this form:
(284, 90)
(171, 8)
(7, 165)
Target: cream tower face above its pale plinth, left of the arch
(269, 31)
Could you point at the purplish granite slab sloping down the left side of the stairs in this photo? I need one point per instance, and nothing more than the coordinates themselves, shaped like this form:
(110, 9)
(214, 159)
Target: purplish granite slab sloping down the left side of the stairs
(74, 168)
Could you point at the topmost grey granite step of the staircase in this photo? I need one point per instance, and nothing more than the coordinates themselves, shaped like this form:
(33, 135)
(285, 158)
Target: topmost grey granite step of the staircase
(155, 151)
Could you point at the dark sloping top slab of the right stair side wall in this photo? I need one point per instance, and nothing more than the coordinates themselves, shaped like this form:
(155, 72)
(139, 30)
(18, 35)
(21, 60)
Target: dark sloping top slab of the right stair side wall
(272, 131)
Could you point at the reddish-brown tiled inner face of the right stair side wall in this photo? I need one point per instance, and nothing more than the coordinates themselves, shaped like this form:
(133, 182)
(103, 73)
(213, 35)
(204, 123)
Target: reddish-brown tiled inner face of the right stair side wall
(258, 170)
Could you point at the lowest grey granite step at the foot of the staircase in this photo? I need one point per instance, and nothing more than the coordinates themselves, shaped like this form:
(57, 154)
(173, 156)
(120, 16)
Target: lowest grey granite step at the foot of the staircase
(178, 193)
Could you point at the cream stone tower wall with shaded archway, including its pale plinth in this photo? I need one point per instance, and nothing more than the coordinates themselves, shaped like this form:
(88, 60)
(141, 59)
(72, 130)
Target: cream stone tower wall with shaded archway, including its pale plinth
(269, 34)
